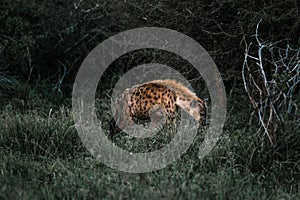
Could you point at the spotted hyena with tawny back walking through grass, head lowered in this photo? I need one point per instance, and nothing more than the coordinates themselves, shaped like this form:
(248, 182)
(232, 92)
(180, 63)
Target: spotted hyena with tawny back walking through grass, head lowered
(162, 97)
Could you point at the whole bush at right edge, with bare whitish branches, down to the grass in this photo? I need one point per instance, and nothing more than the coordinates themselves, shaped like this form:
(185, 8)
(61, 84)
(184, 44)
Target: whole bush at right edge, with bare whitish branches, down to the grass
(271, 77)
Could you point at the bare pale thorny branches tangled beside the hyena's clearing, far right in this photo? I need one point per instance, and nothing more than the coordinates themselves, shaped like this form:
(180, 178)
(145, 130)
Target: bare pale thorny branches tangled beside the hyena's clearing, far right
(271, 77)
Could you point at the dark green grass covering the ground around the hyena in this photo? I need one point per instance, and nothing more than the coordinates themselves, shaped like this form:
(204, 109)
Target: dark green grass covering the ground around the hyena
(42, 158)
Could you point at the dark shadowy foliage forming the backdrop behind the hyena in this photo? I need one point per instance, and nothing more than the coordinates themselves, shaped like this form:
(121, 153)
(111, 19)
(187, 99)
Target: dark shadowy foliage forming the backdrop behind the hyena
(48, 40)
